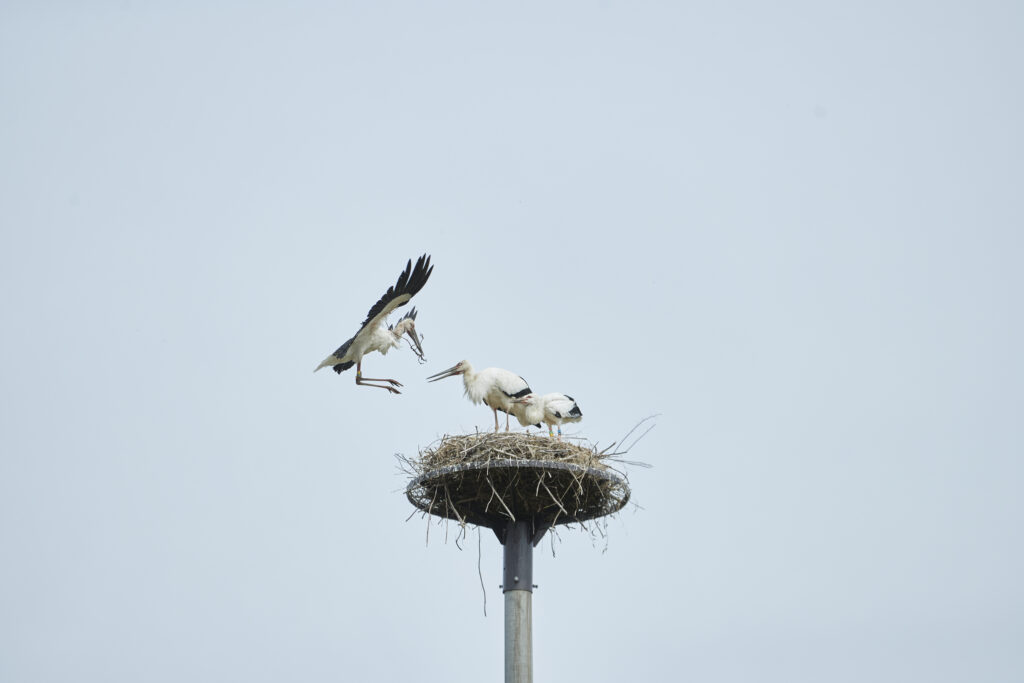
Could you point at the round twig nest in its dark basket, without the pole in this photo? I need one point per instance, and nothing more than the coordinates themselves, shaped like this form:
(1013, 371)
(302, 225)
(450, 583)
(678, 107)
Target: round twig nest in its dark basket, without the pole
(490, 480)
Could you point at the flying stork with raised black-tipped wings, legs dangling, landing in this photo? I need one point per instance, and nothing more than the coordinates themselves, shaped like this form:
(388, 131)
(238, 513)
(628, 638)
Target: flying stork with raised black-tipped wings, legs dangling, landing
(374, 335)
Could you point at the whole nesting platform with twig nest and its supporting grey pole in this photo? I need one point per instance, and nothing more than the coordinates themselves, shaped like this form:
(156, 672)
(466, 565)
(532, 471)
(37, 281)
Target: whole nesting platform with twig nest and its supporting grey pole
(520, 487)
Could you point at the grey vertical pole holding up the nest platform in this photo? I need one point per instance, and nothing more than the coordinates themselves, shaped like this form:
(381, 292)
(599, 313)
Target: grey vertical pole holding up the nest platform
(519, 588)
